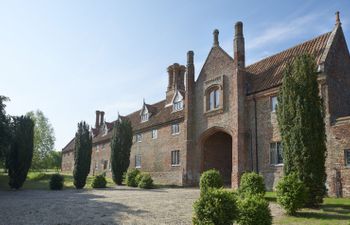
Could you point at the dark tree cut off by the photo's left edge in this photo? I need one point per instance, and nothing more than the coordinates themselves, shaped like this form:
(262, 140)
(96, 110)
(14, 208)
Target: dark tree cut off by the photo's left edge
(5, 134)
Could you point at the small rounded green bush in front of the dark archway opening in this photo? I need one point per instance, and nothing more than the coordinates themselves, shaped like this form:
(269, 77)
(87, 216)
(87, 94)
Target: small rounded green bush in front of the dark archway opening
(210, 179)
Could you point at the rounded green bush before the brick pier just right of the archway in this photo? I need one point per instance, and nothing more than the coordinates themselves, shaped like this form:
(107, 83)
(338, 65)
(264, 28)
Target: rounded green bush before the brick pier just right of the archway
(252, 184)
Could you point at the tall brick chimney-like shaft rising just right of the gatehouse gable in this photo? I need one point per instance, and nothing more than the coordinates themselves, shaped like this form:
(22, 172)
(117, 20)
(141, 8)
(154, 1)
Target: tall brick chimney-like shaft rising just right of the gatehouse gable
(238, 43)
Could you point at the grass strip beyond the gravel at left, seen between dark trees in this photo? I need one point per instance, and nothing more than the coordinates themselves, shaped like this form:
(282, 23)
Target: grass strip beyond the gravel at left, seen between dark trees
(40, 181)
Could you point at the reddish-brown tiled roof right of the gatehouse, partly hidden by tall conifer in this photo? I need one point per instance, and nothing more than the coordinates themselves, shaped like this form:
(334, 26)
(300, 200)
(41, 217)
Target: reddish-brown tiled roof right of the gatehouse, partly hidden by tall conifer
(268, 73)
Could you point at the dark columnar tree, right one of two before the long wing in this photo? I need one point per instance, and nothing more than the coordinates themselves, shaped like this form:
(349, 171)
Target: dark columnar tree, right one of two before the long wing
(120, 149)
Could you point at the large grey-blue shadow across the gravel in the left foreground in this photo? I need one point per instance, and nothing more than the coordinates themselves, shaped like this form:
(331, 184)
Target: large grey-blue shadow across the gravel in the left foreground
(63, 207)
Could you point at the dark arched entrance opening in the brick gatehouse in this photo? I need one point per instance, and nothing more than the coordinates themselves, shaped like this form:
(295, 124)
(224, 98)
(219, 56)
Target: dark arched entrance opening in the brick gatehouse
(217, 153)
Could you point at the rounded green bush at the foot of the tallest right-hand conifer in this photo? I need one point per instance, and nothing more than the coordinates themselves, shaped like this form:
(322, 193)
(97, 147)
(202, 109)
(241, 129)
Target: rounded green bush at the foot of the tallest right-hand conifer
(291, 193)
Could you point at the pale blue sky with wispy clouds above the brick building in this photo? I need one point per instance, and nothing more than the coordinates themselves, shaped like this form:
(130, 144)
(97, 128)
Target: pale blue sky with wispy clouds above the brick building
(70, 58)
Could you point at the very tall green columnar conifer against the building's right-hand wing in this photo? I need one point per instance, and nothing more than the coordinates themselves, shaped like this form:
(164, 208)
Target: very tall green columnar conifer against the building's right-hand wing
(301, 122)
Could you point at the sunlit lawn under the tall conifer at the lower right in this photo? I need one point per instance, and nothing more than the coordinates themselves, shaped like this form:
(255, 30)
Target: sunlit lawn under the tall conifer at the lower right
(333, 211)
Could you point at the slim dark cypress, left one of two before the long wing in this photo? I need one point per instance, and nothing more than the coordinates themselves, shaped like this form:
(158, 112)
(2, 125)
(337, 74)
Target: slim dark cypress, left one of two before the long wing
(82, 155)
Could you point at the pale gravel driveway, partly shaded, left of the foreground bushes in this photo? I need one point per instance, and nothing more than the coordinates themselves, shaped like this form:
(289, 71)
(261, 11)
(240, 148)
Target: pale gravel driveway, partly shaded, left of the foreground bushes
(121, 205)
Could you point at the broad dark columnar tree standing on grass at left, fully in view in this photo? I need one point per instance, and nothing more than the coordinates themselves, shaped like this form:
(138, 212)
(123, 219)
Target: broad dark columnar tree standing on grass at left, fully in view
(21, 151)
